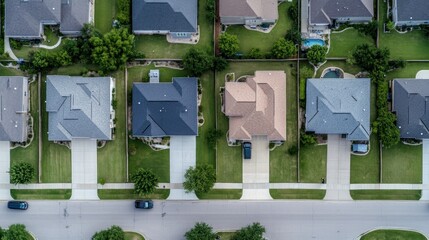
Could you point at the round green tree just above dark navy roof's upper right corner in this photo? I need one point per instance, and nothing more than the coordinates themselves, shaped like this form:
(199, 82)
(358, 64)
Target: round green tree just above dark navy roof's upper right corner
(197, 61)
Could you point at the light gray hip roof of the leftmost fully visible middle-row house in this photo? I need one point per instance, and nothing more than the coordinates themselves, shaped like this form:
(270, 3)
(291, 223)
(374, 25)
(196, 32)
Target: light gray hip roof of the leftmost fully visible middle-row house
(78, 107)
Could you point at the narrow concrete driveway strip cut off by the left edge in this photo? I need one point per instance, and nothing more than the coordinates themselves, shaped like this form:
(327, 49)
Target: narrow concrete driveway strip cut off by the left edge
(4, 169)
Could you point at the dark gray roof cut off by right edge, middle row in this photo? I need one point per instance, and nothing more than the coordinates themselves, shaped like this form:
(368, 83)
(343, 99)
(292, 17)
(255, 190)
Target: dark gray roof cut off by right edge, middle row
(410, 102)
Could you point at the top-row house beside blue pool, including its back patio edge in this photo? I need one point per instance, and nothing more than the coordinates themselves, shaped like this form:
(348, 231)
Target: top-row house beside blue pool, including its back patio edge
(324, 14)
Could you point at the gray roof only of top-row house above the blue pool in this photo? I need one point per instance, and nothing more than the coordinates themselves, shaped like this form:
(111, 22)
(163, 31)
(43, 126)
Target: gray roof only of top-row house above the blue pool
(322, 11)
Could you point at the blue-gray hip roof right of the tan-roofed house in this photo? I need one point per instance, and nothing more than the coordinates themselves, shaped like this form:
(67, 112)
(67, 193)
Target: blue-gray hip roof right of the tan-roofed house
(339, 106)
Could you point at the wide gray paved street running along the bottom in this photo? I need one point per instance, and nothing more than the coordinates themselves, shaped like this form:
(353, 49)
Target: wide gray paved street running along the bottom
(293, 220)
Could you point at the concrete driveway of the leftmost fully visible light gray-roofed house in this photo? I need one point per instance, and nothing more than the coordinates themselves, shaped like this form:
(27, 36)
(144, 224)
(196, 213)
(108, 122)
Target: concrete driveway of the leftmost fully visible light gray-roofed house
(84, 169)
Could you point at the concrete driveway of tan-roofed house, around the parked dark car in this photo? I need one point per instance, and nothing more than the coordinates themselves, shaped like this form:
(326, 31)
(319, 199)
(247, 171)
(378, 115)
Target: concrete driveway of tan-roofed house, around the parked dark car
(256, 171)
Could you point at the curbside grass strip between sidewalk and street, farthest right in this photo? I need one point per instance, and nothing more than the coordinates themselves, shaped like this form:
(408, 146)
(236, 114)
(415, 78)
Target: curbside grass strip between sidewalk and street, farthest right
(385, 194)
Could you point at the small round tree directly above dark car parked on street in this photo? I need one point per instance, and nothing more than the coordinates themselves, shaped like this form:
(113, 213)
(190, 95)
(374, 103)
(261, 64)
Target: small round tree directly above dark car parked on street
(145, 181)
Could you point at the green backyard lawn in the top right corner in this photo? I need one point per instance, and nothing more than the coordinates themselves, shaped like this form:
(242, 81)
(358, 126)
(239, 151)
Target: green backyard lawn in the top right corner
(411, 45)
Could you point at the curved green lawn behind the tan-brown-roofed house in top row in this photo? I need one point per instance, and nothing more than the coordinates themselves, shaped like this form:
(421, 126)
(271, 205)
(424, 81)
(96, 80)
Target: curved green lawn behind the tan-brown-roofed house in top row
(249, 39)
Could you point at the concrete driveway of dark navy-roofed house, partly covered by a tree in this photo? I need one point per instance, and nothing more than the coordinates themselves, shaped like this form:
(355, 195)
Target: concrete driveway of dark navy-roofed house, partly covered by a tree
(182, 156)
